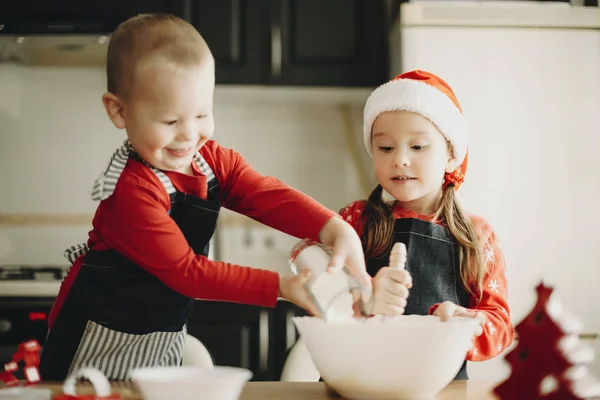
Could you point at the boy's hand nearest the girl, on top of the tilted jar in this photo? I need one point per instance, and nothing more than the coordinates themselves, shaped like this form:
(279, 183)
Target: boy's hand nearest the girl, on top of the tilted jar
(347, 250)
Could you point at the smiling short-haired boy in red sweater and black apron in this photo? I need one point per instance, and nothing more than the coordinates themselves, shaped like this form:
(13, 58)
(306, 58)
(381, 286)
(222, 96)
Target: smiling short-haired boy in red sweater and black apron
(128, 295)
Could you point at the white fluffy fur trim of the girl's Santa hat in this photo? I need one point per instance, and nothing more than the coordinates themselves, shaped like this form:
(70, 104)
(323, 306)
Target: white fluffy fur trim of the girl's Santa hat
(423, 99)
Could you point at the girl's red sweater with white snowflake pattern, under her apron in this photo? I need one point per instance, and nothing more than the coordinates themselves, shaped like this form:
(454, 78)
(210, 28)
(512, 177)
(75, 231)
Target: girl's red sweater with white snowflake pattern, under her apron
(498, 332)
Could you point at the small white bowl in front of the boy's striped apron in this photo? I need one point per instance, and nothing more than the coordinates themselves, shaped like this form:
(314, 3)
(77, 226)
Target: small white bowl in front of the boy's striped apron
(190, 383)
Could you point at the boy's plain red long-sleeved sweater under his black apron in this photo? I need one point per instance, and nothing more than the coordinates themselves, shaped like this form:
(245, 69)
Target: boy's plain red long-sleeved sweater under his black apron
(134, 220)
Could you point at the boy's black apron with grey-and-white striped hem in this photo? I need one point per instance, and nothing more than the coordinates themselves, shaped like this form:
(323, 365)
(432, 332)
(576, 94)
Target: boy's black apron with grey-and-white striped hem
(117, 316)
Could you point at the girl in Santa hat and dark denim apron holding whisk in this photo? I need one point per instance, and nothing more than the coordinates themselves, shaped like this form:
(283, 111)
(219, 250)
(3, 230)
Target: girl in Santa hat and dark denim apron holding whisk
(416, 134)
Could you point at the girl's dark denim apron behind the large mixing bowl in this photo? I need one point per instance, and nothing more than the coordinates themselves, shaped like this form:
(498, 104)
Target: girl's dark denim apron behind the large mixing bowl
(433, 263)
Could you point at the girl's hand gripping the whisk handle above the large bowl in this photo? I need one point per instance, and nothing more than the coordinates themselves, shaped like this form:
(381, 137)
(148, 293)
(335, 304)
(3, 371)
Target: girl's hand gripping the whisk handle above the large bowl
(390, 291)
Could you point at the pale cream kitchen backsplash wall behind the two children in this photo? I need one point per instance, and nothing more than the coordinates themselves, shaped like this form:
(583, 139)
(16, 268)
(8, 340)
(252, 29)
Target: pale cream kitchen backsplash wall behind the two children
(55, 139)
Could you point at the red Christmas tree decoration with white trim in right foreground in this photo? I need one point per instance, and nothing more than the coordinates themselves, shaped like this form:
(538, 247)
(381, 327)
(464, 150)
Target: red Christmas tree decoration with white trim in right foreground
(549, 362)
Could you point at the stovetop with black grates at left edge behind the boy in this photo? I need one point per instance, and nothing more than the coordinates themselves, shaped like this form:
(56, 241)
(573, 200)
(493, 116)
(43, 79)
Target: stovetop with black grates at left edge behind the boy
(31, 280)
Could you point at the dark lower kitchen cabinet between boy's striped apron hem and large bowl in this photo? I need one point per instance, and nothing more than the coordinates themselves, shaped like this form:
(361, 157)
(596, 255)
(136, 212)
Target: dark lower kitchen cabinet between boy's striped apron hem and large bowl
(252, 337)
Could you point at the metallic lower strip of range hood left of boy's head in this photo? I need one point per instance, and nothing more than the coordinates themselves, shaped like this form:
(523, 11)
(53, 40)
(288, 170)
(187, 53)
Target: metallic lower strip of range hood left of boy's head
(54, 50)
